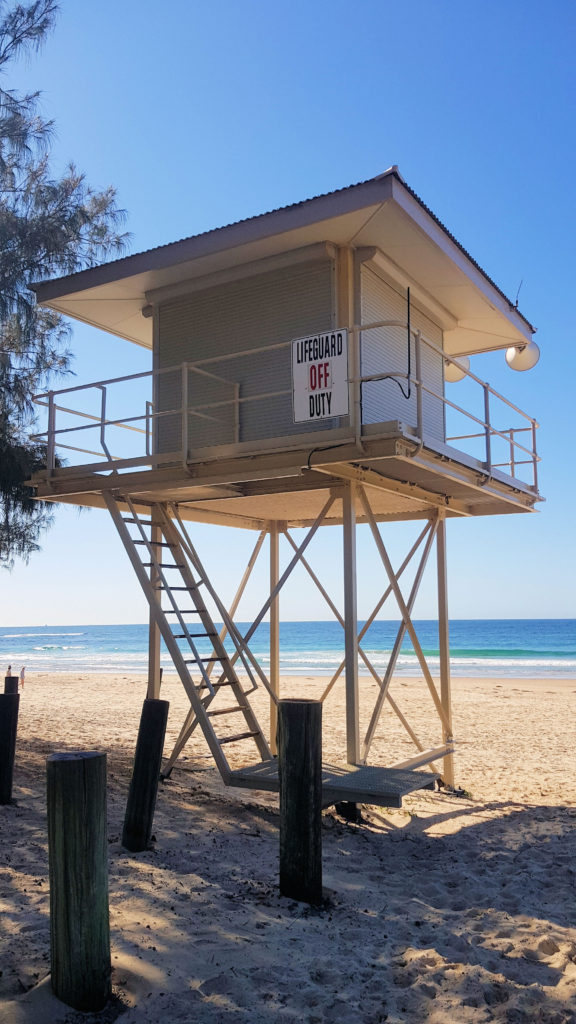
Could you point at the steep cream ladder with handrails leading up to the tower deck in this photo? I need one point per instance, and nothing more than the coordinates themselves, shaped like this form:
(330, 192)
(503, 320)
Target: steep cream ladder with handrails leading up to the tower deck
(173, 579)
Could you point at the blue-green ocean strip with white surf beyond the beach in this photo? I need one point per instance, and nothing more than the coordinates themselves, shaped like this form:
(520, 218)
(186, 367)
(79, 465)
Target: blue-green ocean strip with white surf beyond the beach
(516, 648)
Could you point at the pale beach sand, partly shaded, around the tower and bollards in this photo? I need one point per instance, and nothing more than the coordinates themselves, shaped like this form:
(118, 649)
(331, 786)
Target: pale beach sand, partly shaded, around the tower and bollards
(455, 909)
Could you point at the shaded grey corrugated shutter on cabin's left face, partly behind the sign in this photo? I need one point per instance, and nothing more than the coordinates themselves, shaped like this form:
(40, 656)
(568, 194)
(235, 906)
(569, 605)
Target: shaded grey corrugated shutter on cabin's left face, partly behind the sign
(253, 314)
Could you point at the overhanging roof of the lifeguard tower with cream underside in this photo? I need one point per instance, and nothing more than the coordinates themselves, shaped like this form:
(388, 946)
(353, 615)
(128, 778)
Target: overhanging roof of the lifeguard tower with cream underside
(383, 214)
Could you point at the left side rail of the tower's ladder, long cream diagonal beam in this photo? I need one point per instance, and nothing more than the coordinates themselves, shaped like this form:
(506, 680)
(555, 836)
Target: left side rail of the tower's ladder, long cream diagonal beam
(180, 664)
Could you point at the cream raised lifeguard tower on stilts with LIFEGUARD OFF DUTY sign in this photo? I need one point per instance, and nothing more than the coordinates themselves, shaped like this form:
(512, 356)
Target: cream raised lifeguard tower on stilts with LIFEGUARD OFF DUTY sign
(303, 375)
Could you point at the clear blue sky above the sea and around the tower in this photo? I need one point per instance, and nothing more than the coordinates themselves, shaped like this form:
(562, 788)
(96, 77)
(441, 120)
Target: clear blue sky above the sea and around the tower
(201, 114)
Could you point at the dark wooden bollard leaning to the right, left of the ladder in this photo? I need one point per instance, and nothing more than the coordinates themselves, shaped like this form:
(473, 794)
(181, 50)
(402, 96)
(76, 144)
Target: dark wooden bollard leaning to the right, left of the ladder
(146, 775)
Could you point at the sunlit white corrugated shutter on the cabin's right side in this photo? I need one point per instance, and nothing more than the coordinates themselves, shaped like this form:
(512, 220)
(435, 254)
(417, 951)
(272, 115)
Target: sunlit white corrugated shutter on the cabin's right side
(386, 351)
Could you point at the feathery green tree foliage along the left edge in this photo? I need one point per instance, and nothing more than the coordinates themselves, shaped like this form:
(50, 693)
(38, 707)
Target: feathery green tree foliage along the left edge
(49, 226)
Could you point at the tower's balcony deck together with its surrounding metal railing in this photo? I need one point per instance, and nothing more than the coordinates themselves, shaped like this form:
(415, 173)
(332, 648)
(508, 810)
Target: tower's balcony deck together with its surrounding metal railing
(193, 448)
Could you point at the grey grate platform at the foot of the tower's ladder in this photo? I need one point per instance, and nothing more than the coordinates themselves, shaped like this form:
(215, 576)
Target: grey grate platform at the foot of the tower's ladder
(355, 784)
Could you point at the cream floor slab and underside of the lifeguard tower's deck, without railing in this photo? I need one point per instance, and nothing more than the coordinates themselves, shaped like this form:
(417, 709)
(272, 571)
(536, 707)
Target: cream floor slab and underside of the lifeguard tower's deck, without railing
(406, 482)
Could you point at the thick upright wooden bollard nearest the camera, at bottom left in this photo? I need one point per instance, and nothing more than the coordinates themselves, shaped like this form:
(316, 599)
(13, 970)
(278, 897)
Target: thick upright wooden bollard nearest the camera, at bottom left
(80, 961)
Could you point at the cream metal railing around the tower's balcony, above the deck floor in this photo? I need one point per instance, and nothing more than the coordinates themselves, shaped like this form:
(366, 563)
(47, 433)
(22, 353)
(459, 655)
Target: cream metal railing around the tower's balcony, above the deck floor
(190, 407)
